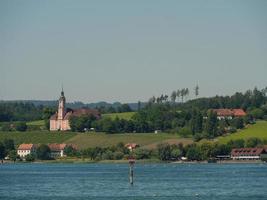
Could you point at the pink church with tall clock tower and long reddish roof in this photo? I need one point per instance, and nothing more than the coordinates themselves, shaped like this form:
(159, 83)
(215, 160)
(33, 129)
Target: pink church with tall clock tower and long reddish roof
(60, 120)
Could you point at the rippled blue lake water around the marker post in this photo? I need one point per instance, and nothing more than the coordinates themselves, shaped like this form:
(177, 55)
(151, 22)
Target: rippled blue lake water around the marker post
(152, 181)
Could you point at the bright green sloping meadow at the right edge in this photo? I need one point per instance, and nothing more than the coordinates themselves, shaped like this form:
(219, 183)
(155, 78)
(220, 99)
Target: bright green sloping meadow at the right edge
(258, 130)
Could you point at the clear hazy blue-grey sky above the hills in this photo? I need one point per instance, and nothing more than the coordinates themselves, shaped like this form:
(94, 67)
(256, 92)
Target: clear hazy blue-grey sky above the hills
(128, 51)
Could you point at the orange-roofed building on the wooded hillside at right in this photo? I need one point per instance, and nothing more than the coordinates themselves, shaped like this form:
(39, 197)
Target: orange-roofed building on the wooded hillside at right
(229, 113)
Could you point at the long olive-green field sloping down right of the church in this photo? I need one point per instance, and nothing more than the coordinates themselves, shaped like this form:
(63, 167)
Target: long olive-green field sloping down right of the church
(148, 140)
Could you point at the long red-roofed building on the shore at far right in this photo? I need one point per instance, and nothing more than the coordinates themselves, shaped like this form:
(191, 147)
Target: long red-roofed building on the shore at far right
(248, 153)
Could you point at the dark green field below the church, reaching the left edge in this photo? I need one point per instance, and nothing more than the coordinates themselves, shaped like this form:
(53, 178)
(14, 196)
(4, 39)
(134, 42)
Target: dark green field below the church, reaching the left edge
(36, 137)
